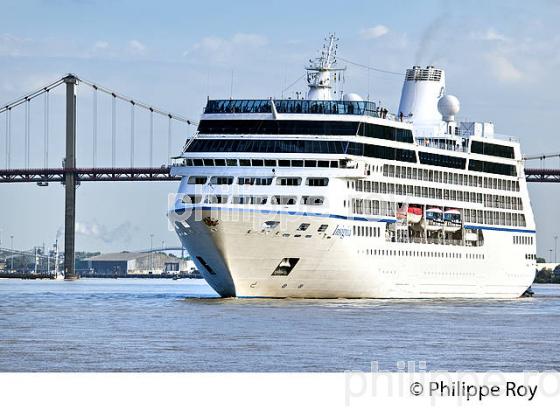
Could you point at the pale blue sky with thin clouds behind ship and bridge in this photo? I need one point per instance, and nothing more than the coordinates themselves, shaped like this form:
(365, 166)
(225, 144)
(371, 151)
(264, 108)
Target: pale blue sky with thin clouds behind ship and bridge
(500, 58)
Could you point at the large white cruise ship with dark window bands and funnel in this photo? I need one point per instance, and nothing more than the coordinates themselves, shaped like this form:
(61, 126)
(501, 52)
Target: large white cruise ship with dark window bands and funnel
(333, 196)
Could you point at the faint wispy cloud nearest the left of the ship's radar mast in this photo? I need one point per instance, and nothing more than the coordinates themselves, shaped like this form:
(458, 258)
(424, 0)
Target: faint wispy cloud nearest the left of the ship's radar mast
(223, 49)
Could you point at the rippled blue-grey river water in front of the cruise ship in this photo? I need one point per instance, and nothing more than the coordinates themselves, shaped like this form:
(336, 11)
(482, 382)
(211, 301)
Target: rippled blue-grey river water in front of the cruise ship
(163, 325)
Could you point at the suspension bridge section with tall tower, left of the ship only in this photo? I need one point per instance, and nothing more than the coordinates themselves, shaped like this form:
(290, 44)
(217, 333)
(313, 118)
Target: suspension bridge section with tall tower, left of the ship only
(69, 174)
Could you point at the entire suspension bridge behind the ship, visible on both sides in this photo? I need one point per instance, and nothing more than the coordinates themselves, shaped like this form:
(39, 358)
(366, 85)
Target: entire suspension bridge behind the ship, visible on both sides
(70, 175)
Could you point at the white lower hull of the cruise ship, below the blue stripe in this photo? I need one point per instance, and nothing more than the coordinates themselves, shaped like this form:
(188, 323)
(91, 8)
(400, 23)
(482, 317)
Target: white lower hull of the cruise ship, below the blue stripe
(237, 256)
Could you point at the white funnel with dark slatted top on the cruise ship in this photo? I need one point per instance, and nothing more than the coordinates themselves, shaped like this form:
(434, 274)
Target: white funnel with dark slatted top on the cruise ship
(422, 89)
